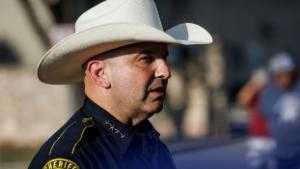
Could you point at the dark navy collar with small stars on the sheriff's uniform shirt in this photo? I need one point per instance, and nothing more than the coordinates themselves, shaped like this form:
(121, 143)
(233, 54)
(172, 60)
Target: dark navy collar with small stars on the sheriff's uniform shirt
(121, 135)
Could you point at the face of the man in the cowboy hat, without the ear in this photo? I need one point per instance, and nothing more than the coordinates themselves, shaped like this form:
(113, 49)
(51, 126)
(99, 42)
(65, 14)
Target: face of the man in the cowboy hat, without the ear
(139, 76)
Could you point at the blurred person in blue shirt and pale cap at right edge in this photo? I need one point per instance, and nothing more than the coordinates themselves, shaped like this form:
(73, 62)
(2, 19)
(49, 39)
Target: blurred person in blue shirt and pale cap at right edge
(280, 106)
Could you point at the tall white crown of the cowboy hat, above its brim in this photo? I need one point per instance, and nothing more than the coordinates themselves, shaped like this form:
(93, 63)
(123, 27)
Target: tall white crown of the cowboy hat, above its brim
(120, 11)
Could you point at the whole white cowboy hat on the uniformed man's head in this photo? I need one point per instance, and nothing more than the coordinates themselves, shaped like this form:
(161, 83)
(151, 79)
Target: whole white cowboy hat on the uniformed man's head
(109, 25)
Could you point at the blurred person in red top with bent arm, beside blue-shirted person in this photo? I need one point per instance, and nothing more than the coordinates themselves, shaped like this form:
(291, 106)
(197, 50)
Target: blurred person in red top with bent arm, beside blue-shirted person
(260, 145)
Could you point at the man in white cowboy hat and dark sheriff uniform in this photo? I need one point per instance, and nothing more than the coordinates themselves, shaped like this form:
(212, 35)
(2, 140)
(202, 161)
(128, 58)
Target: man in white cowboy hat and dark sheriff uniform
(119, 51)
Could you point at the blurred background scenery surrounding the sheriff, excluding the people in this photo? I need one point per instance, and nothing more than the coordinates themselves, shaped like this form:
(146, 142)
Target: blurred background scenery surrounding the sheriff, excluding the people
(203, 121)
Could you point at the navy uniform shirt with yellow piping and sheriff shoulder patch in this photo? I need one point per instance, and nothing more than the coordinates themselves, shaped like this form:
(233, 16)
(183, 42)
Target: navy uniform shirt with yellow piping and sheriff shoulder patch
(93, 139)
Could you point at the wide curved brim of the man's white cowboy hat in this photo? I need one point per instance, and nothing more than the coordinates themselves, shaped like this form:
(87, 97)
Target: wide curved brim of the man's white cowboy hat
(62, 64)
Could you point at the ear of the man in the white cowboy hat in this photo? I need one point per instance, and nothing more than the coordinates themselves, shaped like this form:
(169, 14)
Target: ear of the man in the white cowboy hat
(95, 70)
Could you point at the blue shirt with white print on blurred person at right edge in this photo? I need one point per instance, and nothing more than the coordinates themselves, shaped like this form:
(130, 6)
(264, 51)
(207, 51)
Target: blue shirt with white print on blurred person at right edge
(281, 107)
